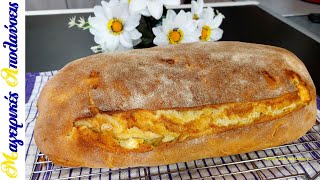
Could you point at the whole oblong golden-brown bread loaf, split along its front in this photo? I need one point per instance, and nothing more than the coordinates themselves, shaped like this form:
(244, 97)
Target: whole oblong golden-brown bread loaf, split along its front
(172, 104)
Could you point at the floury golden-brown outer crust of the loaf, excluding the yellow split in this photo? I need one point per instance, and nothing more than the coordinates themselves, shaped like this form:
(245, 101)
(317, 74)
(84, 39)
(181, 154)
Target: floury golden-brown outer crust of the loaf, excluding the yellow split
(187, 75)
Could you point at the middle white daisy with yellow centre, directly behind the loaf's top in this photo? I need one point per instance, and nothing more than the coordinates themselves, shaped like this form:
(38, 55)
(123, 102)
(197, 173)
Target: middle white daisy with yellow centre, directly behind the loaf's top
(175, 29)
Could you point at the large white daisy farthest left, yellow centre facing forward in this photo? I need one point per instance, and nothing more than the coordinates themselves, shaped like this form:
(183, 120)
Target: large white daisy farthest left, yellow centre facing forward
(113, 26)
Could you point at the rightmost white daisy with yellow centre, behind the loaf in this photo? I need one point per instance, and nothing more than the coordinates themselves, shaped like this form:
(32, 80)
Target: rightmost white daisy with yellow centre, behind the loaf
(208, 25)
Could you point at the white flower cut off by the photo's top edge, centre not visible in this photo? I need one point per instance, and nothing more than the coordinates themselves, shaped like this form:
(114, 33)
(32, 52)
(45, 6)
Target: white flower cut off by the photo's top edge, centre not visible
(151, 7)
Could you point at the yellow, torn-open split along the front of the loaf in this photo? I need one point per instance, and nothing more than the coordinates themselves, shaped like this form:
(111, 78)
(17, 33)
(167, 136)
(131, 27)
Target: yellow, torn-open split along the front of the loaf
(145, 129)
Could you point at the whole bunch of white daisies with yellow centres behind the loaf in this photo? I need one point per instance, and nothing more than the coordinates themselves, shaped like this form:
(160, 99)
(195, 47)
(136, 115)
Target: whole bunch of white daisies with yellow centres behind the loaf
(115, 23)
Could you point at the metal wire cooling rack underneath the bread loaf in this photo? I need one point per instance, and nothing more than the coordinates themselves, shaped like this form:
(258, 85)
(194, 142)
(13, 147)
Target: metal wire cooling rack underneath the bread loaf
(298, 160)
